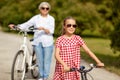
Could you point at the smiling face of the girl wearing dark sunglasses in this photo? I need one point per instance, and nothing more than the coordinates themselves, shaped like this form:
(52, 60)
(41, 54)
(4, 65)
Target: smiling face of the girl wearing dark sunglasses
(70, 26)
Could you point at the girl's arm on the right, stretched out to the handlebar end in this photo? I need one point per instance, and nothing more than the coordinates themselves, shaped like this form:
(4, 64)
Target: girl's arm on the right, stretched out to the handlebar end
(92, 55)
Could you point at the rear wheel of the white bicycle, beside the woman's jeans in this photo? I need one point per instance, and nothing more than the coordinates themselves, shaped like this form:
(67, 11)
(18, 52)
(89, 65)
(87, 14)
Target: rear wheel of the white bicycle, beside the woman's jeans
(35, 70)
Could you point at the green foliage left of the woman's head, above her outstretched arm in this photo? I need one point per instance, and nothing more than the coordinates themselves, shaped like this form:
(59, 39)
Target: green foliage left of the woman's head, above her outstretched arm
(17, 11)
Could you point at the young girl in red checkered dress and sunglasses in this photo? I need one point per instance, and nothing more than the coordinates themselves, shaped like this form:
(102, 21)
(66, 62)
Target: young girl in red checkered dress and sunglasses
(67, 52)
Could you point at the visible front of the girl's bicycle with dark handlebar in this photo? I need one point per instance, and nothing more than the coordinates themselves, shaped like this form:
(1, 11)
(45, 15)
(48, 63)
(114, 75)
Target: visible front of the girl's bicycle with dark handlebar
(84, 72)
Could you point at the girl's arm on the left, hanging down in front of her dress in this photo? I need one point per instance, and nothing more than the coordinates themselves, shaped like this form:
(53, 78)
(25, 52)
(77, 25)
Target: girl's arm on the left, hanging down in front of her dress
(58, 58)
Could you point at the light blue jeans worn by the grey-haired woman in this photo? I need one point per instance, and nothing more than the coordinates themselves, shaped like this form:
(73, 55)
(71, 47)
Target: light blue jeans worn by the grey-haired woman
(44, 55)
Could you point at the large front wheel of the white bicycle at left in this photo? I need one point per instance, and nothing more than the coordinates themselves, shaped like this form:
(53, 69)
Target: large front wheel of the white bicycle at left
(18, 66)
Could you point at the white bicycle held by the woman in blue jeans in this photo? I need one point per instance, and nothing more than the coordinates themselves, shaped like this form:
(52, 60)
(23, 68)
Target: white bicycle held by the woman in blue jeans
(24, 60)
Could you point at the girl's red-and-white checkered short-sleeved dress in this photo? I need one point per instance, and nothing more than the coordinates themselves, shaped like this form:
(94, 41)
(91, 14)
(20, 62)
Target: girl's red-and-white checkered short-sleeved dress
(70, 54)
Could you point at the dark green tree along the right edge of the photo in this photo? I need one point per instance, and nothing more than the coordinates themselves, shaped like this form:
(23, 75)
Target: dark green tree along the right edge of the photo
(115, 38)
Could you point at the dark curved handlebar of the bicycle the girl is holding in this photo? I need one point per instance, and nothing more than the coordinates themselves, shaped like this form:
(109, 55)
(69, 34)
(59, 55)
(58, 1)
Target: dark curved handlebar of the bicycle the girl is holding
(82, 69)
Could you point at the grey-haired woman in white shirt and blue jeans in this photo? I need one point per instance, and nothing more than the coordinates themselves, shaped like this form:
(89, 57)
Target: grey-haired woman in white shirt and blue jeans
(43, 39)
